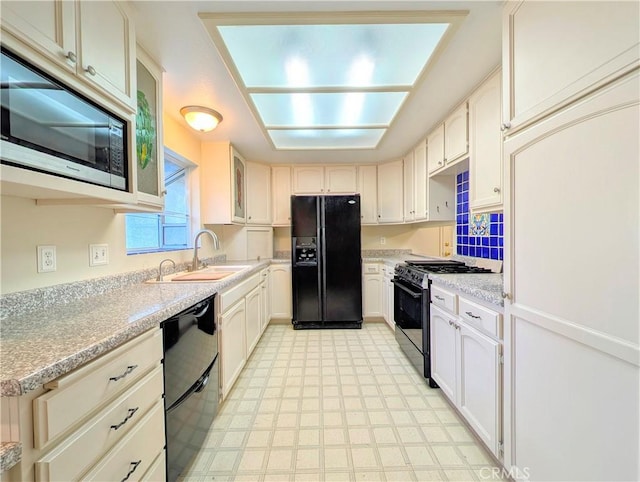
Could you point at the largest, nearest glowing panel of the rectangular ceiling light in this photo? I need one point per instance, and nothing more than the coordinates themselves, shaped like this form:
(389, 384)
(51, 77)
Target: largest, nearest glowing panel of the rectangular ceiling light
(309, 56)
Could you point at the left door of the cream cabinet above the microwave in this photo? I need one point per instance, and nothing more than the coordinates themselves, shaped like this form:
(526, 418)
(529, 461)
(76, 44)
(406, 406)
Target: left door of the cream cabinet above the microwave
(50, 28)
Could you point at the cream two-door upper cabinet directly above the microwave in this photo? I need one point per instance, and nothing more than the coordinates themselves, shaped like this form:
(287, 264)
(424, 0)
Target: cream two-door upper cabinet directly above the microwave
(95, 41)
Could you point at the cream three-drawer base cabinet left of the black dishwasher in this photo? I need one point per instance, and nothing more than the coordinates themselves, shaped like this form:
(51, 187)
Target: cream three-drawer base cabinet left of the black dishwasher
(102, 421)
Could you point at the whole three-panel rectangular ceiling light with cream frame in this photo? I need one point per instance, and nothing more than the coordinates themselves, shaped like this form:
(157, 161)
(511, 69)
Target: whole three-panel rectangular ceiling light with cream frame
(329, 81)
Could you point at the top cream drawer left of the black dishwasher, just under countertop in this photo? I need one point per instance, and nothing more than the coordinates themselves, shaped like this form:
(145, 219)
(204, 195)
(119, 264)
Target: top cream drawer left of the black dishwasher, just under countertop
(75, 395)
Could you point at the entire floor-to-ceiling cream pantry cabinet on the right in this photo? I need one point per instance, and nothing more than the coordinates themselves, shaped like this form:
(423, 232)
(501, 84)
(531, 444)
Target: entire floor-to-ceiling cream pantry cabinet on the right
(571, 106)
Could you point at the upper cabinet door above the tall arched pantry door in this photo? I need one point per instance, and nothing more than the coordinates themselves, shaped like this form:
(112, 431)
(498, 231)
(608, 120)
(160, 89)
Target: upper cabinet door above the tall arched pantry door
(585, 45)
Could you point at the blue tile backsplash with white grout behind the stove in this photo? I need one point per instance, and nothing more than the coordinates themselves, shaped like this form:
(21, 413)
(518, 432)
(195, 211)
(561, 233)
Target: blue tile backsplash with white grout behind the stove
(480, 235)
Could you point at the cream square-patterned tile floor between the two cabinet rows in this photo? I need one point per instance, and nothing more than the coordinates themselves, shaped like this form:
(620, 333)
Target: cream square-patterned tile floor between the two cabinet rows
(336, 405)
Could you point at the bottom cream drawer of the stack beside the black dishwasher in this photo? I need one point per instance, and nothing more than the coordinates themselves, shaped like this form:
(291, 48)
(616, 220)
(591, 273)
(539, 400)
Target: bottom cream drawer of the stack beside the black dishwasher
(136, 452)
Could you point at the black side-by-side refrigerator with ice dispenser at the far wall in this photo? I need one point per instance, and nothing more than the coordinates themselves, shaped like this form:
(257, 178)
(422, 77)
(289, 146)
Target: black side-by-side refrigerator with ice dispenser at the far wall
(326, 261)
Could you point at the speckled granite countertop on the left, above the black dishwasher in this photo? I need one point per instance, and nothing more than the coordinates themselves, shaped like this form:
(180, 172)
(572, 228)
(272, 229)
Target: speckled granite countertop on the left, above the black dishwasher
(42, 345)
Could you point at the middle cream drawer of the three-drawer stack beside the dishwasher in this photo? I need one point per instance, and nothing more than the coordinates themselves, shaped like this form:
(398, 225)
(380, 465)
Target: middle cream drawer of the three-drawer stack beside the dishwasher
(77, 453)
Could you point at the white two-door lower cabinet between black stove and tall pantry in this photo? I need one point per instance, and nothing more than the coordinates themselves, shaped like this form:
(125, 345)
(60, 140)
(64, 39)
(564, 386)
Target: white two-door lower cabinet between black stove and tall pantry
(466, 364)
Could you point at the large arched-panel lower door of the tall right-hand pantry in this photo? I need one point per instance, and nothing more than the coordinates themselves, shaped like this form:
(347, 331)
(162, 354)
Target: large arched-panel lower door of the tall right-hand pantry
(550, 315)
